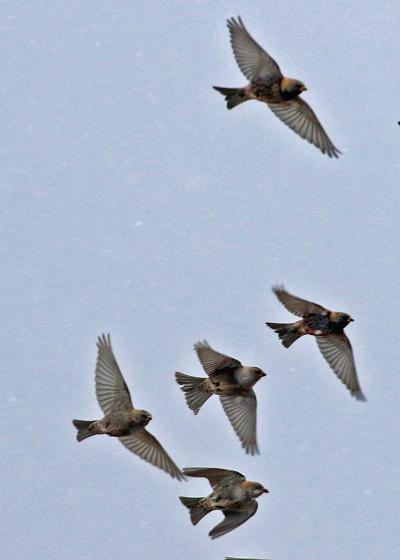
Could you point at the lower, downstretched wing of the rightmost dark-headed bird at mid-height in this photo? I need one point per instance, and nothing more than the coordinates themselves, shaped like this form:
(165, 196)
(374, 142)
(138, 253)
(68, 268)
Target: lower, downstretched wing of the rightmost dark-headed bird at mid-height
(337, 351)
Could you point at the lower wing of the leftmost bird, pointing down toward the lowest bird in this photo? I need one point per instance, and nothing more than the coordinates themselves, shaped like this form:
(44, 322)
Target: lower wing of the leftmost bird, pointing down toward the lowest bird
(146, 446)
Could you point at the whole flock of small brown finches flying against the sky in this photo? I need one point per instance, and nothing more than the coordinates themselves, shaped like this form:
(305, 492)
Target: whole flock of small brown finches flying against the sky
(232, 494)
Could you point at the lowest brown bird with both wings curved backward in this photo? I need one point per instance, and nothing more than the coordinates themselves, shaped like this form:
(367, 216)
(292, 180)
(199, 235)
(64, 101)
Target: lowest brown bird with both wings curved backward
(232, 494)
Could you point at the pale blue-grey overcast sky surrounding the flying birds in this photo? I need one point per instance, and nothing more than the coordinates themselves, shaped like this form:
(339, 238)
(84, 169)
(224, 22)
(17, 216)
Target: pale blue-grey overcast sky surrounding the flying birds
(134, 203)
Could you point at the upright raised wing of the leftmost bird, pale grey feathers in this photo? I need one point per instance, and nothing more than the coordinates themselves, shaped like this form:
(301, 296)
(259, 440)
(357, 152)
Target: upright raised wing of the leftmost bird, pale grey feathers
(111, 390)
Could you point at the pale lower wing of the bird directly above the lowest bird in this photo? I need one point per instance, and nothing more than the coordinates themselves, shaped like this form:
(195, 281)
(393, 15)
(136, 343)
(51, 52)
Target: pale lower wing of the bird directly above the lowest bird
(241, 411)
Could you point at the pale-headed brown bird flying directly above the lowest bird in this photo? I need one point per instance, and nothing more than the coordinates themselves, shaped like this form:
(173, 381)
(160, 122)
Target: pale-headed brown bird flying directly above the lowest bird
(233, 383)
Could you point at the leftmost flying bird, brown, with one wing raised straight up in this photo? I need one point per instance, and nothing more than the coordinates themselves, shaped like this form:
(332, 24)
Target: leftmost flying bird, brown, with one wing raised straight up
(121, 419)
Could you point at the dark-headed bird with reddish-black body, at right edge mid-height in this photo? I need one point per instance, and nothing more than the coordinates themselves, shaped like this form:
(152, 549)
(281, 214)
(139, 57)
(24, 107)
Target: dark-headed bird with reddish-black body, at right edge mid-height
(328, 328)
